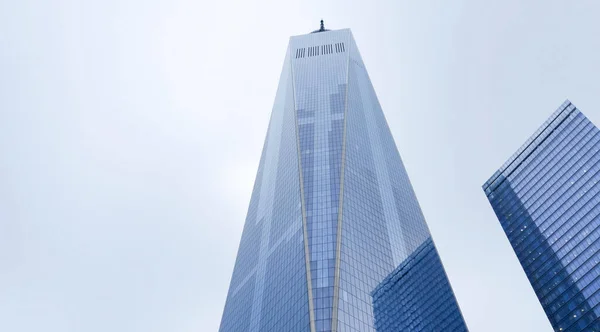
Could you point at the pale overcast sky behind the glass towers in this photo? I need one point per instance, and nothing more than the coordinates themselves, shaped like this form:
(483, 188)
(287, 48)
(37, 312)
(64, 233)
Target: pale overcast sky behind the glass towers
(130, 135)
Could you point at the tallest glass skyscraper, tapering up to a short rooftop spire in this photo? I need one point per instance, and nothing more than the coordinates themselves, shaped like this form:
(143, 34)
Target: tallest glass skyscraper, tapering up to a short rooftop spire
(332, 212)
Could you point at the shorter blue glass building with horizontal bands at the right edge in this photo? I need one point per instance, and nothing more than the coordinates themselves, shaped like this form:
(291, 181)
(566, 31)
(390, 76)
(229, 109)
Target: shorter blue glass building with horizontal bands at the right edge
(546, 197)
